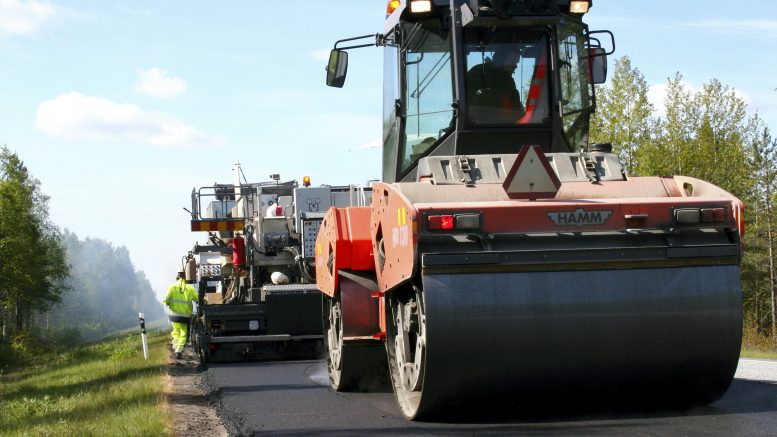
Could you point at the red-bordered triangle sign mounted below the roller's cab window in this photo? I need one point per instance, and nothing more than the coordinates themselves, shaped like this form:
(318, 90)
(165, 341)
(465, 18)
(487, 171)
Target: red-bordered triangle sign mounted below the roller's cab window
(531, 177)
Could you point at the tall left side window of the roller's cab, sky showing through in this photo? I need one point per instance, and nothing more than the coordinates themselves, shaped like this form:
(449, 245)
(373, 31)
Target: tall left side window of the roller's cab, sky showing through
(428, 91)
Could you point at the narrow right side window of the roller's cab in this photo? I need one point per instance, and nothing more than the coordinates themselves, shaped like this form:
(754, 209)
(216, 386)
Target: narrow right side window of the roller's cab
(576, 89)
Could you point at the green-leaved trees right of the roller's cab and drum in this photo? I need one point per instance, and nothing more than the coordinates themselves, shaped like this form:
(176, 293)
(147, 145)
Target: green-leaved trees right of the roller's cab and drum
(708, 134)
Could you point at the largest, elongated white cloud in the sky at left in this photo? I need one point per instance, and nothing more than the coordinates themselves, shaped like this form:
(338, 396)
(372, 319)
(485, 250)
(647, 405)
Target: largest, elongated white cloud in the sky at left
(76, 116)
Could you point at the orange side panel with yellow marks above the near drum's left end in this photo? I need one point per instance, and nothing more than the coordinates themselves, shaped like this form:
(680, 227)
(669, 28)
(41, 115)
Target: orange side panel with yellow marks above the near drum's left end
(394, 236)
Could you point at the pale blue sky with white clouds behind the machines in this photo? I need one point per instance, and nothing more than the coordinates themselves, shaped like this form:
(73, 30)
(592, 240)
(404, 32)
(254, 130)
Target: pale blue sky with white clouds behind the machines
(120, 108)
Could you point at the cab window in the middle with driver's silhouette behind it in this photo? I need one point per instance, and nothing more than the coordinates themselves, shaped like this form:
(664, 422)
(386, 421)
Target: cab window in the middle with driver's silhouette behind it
(506, 76)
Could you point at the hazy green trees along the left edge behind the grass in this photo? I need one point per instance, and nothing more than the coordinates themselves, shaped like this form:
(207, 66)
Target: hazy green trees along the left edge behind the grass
(51, 280)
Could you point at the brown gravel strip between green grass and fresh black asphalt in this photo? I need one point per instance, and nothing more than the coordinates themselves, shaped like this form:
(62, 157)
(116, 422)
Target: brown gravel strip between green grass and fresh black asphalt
(191, 404)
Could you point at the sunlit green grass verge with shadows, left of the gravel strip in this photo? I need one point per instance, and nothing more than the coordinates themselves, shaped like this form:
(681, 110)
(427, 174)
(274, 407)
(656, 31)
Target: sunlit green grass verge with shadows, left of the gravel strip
(106, 388)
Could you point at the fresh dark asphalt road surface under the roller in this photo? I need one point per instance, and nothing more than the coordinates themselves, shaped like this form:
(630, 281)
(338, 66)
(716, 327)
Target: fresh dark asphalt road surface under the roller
(290, 398)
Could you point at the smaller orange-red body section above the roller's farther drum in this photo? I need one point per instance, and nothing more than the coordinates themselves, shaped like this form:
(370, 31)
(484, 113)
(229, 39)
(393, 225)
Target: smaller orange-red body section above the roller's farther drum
(343, 243)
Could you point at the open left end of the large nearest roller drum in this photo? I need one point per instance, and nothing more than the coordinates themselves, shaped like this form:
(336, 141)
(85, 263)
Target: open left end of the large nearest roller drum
(406, 346)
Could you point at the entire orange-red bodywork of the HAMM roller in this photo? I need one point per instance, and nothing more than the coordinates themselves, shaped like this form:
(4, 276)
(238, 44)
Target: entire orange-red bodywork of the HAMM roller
(390, 246)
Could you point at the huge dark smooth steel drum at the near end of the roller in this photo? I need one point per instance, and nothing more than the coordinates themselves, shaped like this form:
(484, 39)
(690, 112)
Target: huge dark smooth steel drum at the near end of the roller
(518, 338)
